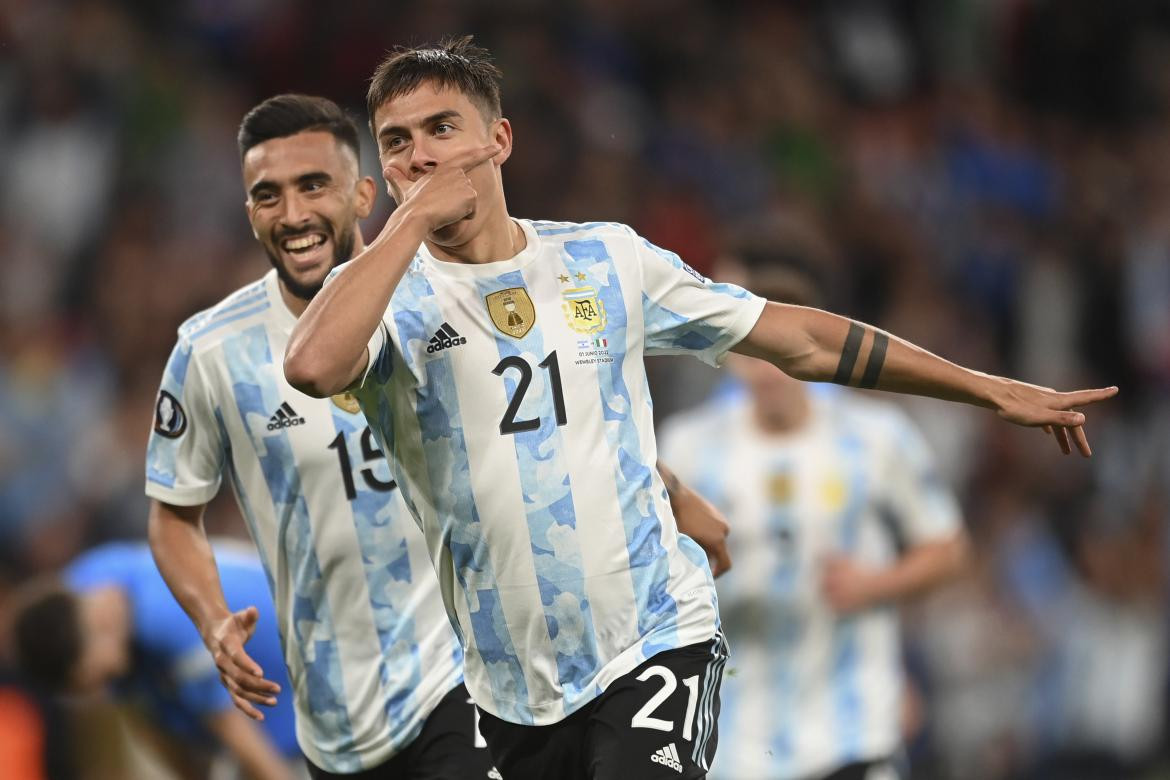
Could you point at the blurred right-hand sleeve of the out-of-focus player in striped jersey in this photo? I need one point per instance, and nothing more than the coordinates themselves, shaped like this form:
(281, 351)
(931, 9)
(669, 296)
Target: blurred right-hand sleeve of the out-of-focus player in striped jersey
(920, 502)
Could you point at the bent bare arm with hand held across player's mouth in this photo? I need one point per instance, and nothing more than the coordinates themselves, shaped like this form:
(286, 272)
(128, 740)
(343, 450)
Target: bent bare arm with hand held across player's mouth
(328, 353)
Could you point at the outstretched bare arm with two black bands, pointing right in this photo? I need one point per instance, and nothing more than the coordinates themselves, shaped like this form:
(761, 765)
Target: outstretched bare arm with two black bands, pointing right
(815, 346)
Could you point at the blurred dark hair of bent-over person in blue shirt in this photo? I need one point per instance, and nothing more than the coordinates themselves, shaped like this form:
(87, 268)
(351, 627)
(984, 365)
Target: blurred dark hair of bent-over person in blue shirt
(47, 636)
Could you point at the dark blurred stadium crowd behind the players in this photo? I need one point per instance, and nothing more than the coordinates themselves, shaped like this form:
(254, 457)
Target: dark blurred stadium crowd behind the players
(988, 178)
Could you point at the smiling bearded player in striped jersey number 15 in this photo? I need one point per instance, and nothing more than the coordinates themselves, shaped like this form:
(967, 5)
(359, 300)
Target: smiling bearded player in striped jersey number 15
(375, 666)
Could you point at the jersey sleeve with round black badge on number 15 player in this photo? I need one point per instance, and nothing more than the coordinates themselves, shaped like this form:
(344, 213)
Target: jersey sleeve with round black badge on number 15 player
(187, 450)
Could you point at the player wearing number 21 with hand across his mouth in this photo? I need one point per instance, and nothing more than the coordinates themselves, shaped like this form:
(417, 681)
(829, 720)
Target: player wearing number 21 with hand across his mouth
(527, 451)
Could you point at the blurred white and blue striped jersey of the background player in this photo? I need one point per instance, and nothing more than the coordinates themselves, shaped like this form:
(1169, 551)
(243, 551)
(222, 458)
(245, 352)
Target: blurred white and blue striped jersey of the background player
(809, 692)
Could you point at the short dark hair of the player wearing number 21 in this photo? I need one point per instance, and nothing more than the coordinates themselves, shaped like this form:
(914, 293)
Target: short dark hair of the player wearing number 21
(453, 63)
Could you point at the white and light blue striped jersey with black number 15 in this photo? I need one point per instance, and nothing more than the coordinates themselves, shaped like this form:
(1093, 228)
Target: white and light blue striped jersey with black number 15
(369, 648)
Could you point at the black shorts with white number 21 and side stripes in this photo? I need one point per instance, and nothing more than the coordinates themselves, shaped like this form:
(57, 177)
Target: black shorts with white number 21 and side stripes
(659, 721)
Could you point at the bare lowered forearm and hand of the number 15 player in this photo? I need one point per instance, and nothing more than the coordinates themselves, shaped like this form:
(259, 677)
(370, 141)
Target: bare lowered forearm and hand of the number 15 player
(185, 560)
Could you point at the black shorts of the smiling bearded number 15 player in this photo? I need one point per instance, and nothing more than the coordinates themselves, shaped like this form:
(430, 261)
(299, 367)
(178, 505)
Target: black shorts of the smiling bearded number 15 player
(448, 749)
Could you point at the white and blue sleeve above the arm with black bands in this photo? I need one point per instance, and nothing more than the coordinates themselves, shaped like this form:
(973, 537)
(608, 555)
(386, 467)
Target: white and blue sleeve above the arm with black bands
(685, 313)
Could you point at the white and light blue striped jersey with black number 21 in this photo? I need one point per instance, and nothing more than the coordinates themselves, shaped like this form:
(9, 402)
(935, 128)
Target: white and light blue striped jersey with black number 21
(513, 399)
